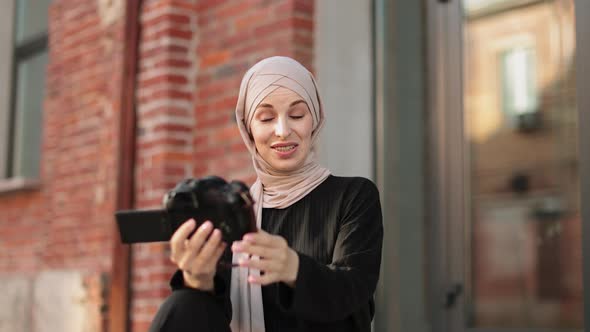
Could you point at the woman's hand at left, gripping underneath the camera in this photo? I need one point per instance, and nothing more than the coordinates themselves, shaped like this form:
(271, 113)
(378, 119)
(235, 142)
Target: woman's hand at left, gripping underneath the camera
(197, 257)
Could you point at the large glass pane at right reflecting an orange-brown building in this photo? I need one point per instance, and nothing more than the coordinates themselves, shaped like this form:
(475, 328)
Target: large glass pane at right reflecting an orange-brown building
(524, 228)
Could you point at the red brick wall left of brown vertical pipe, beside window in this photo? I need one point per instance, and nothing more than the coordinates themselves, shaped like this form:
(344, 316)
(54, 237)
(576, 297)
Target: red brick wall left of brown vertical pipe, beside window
(67, 223)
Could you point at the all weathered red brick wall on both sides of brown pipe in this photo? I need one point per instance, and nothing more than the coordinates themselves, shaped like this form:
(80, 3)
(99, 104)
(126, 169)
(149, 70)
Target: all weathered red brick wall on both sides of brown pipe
(191, 58)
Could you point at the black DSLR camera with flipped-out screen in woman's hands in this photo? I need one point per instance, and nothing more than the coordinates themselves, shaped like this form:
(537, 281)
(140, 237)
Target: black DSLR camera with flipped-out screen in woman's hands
(228, 206)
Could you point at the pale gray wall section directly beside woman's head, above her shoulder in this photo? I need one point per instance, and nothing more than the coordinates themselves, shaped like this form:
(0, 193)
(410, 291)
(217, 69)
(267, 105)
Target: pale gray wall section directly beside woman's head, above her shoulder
(343, 63)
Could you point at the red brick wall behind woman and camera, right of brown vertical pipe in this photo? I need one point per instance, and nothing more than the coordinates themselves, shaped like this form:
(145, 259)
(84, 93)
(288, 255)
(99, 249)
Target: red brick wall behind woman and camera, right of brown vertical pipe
(192, 57)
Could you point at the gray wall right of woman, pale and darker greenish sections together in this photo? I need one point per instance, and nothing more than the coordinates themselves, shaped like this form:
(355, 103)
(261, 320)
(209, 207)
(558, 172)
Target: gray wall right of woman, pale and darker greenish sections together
(374, 99)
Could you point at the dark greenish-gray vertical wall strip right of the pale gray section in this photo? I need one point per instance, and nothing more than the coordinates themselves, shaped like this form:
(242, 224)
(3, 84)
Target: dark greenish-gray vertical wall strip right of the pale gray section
(401, 128)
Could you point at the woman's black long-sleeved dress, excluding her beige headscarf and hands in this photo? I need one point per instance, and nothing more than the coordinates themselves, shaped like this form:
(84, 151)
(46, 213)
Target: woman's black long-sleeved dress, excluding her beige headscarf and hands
(337, 232)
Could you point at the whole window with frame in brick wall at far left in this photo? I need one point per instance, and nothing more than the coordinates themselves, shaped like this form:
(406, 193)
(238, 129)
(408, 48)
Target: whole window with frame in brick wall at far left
(22, 85)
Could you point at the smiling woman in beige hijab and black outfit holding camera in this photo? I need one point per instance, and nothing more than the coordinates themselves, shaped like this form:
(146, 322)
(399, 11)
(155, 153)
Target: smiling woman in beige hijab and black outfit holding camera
(314, 263)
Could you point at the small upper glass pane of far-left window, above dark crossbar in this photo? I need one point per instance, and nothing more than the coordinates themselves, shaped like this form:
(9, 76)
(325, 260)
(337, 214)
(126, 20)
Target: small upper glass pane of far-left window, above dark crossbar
(31, 19)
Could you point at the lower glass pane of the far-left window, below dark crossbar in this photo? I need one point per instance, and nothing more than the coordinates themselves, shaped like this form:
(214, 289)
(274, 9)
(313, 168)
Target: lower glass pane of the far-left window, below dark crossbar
(28, 118)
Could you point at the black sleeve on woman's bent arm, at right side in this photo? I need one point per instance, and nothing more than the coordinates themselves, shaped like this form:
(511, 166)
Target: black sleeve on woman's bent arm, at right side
(335, 291)
